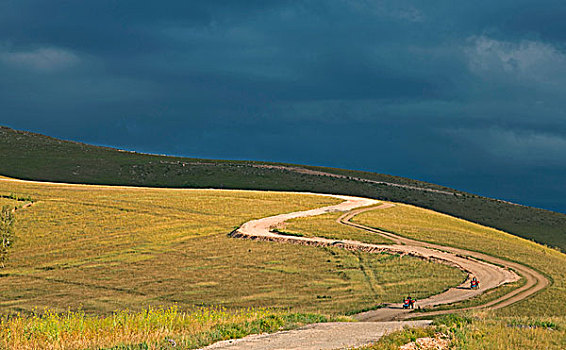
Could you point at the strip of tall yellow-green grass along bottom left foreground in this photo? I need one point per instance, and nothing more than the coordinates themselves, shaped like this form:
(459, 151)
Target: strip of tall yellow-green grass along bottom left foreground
(153, 328)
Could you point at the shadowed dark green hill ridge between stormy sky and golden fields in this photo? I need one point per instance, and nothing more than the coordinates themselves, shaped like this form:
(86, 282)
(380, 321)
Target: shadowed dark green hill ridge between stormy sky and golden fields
(31, 156)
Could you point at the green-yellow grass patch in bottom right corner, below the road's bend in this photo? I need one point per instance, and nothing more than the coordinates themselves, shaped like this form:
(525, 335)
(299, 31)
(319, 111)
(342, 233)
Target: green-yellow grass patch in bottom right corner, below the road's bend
(485, 331)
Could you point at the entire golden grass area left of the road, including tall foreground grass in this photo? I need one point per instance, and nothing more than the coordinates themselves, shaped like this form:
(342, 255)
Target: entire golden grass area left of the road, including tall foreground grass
(93, 250)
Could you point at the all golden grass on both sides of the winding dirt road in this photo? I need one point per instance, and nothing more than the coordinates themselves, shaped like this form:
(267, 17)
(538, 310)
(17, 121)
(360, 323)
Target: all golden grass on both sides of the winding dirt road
(114, 255)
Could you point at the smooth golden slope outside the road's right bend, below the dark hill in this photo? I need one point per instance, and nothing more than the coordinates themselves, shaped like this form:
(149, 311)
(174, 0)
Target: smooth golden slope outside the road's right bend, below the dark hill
(426, 225)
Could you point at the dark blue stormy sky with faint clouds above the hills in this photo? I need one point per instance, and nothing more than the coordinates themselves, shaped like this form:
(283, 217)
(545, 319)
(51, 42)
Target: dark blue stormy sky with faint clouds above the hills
(466, 94)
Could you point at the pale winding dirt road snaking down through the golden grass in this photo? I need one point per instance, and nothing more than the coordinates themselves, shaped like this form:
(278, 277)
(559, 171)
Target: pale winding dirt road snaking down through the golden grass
(491, 271)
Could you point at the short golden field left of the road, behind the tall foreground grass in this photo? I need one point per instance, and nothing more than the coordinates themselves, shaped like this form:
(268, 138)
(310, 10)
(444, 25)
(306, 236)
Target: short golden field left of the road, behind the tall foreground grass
(112, 248)
